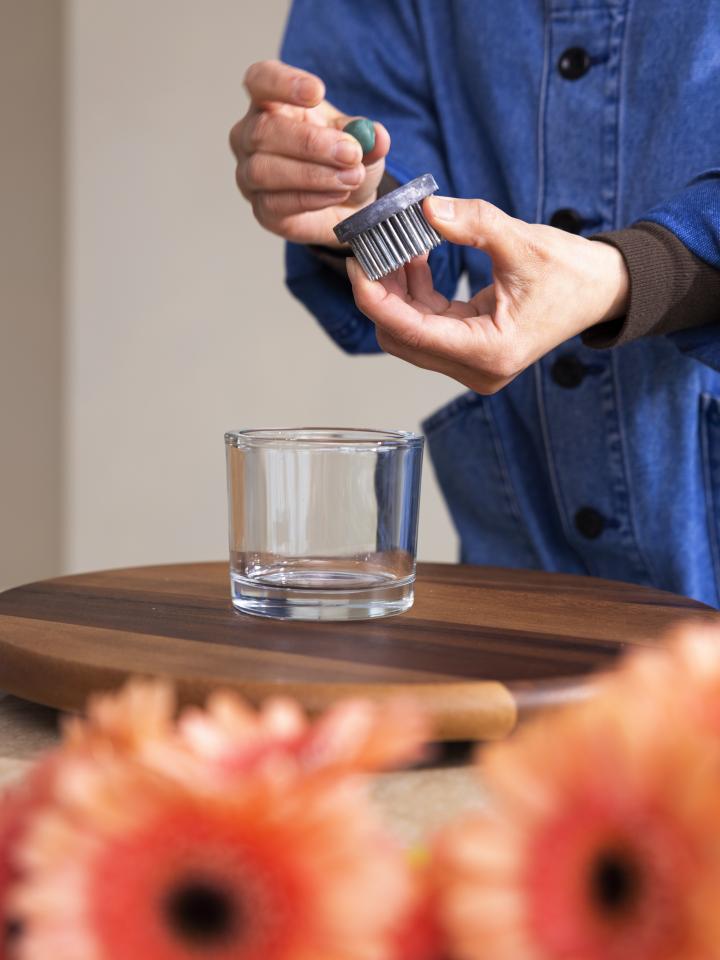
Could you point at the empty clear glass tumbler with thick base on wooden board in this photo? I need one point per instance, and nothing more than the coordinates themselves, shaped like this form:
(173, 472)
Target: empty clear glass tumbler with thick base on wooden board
(323, 522)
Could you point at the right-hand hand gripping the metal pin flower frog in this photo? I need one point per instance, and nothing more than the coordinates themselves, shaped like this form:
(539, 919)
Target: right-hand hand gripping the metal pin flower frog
(548, 286)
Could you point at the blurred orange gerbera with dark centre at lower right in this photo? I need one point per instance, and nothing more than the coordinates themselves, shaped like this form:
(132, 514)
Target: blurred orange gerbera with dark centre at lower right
(603, 843)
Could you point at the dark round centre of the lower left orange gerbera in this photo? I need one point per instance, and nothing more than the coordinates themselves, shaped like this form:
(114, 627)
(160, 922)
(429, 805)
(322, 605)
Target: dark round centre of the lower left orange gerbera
(202, 912)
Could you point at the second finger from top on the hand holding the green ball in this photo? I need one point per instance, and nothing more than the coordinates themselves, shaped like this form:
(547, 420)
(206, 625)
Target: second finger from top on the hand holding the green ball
(267, 132)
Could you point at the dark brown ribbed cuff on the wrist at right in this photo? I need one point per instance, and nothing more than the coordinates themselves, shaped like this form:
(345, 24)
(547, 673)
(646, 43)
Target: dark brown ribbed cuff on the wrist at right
(670, 288)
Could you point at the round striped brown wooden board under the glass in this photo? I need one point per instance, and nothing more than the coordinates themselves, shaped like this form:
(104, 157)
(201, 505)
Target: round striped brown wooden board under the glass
(481, 646)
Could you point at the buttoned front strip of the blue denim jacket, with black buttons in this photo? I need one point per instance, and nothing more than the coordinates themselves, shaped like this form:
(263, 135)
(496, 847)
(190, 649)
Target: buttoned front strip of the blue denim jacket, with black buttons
(578, 390)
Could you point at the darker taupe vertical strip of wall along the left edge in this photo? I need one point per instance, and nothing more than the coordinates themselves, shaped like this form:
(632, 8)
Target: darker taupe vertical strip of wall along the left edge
(30, 290)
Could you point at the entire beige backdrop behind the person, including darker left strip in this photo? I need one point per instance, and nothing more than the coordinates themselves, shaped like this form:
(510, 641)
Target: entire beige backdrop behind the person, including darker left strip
(142, 310)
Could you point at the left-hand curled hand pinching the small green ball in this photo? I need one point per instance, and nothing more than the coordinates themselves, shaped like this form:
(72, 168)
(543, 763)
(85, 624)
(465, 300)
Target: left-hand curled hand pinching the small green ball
(301, 174)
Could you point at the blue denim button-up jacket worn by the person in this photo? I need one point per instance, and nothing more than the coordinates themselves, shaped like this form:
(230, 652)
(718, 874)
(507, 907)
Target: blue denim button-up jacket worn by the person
(614, 472)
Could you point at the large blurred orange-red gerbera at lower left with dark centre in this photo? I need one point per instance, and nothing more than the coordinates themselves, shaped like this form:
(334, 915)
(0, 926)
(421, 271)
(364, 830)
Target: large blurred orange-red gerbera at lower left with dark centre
(133, 864)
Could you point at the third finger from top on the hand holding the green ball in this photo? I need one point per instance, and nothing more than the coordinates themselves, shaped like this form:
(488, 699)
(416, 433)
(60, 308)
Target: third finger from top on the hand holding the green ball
(267, 172)
